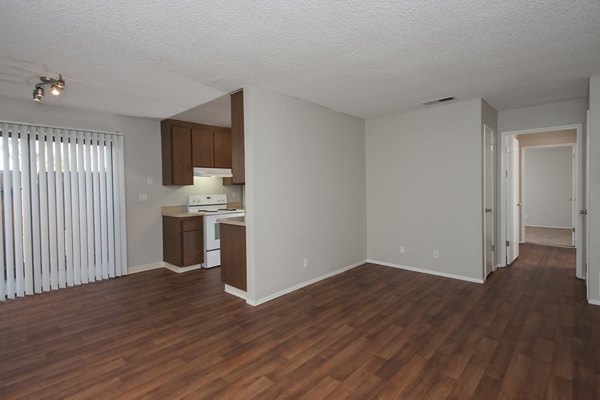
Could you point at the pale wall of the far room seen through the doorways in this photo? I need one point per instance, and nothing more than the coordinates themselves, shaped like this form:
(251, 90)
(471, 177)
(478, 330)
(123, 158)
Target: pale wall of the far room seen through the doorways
(548, 186)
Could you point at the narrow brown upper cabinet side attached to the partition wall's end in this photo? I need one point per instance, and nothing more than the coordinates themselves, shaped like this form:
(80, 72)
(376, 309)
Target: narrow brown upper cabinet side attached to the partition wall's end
(237, 138)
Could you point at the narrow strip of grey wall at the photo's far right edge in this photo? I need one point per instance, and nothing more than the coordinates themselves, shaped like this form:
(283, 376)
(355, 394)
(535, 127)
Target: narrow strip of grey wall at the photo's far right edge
(594, 190)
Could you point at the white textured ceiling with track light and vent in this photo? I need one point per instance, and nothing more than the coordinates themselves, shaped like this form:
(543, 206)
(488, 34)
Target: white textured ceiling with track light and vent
(366, 58)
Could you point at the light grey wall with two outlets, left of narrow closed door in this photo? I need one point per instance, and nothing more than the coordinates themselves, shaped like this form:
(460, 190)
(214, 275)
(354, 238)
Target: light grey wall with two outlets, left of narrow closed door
(424, 189)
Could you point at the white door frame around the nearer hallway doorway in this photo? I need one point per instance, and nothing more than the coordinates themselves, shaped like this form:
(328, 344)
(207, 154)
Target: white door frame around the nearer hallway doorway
(578, 199)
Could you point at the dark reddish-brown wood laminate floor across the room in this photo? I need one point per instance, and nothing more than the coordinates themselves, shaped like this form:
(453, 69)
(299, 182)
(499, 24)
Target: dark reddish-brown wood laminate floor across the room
(373, 332)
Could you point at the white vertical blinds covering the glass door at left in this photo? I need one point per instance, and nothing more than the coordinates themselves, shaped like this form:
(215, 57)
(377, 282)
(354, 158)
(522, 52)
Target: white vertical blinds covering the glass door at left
(62, 208)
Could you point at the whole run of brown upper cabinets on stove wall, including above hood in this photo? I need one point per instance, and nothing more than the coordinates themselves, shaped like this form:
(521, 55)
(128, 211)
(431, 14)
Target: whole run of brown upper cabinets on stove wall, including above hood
(186, 145)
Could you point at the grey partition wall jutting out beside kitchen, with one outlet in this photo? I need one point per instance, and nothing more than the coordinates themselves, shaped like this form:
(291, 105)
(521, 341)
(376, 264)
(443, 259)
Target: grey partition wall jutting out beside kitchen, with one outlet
(305, 191)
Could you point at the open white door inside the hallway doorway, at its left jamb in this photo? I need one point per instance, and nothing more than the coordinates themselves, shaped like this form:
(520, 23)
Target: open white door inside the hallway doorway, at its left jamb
(512, 200)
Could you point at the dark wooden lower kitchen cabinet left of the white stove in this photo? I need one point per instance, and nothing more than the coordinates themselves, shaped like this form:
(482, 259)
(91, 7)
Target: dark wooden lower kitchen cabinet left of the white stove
(183, 240)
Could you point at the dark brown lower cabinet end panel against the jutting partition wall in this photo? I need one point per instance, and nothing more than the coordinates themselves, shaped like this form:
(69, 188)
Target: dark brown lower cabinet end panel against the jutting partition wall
(233, 255)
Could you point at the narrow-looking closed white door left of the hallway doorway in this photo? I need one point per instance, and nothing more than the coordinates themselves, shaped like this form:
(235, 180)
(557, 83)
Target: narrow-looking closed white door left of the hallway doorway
(488, 199)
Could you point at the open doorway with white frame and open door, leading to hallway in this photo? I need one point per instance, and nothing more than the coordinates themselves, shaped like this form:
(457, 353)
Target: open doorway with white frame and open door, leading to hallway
(518, 224)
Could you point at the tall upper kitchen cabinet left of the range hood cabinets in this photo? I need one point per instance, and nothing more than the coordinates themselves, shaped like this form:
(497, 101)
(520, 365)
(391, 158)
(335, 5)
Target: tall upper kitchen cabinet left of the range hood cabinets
(176, 154)
